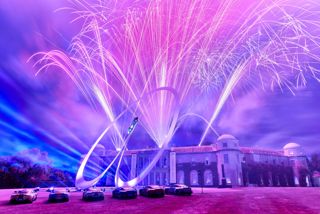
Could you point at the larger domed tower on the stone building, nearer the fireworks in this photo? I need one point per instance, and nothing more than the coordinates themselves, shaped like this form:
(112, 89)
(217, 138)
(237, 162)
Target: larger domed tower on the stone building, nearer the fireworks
(228, 161)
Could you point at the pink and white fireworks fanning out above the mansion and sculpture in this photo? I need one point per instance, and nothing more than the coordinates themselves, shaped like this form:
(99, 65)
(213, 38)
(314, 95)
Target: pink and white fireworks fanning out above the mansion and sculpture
(126, 50)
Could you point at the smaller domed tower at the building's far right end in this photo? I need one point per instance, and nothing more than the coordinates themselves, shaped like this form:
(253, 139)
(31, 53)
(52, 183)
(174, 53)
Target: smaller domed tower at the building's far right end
(298, 161)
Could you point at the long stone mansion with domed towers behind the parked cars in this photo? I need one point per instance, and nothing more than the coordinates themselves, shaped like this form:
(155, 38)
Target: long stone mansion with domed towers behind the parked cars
(222, 163)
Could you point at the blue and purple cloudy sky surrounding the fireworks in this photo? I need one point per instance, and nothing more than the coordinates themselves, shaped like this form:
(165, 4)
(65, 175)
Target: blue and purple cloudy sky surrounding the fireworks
(49, 113)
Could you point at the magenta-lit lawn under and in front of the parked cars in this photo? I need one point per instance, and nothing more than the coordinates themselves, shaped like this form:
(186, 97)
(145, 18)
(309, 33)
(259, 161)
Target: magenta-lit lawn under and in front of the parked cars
(236, 200)
